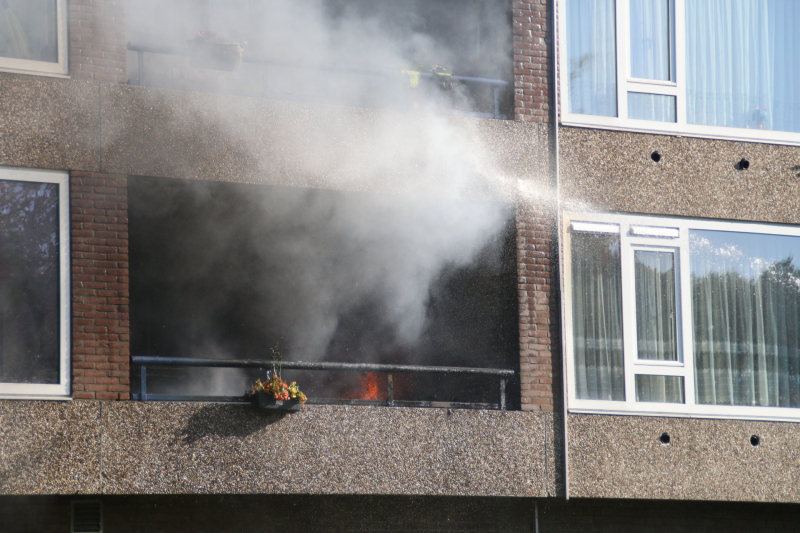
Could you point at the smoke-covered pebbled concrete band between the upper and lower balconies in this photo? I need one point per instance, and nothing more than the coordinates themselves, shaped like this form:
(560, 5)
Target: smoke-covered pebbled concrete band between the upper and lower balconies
(131, 130)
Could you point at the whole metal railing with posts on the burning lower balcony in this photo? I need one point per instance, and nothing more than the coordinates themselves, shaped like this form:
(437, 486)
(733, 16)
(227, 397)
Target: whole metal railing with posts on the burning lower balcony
(145, 361)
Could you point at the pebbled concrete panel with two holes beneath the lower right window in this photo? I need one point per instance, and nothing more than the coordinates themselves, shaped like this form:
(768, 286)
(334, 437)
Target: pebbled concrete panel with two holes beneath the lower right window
(622, 457)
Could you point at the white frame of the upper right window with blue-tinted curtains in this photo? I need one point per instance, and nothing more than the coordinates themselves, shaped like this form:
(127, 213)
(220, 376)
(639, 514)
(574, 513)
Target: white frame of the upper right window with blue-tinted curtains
(626, 83)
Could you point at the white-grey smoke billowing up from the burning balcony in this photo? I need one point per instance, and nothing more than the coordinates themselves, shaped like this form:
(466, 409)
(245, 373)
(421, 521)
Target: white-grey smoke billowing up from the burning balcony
(389, 247)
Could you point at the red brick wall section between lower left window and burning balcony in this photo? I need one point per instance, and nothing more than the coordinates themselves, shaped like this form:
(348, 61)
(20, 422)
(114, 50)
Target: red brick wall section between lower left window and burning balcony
(100, 328)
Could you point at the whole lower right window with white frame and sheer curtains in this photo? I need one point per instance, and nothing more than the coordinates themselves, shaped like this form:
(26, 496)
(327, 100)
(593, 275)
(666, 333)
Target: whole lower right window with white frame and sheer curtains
(686, 317)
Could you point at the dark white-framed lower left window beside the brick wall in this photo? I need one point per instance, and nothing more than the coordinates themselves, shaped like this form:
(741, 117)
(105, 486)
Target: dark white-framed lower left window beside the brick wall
(34, 287)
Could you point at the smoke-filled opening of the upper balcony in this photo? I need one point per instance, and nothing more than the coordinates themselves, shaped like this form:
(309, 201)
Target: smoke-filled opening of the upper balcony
(396, 54)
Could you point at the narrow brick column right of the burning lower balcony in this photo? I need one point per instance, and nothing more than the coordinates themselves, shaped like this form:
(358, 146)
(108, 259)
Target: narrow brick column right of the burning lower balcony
(537, 268)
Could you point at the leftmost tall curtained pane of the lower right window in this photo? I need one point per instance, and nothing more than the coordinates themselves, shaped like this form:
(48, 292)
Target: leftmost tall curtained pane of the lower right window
(597, 316)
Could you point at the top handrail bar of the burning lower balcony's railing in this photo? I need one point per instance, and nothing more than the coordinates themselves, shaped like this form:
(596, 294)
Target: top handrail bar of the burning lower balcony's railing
(152, 360)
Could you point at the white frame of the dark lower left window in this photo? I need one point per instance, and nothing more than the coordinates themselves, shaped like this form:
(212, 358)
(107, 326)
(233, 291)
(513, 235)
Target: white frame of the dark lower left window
(61, 390)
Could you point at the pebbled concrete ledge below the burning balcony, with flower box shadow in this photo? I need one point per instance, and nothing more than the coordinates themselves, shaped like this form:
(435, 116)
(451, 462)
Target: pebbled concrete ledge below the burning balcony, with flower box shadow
(191, 448)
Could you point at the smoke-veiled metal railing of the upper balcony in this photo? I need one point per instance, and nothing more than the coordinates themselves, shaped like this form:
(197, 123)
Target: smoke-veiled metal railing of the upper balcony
(140, 48)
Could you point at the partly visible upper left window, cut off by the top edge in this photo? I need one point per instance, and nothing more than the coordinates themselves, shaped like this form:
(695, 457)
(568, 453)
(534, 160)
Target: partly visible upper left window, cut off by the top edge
(33, 36)
